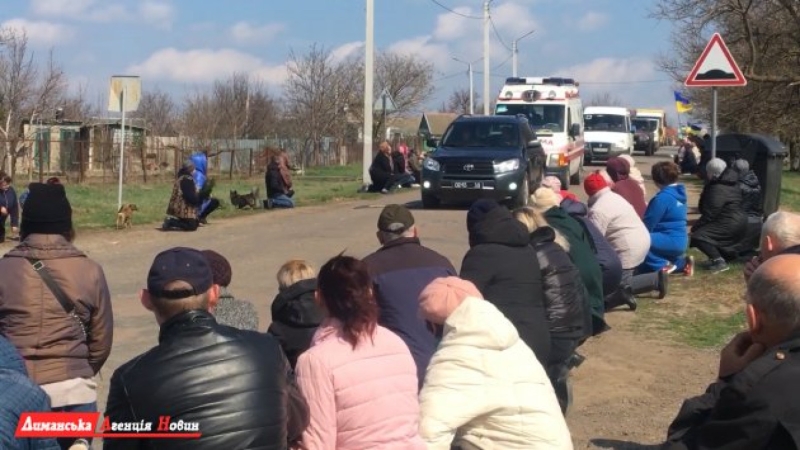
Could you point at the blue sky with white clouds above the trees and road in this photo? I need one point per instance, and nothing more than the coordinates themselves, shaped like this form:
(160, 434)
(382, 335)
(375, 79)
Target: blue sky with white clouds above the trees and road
(181, 45)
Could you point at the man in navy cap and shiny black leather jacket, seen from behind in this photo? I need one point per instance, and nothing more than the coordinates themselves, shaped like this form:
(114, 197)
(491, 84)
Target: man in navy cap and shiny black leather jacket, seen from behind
(233, 387)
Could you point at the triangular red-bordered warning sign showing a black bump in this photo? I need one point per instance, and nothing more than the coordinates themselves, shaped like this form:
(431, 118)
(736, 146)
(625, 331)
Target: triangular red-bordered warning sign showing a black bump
(715, 67)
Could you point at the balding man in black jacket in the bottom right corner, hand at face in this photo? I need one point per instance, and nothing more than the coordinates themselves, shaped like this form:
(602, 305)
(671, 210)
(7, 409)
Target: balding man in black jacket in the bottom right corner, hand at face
(755, 404)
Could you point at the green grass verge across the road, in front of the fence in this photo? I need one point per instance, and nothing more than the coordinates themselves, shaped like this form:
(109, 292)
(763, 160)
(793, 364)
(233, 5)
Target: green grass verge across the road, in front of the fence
(94, 206)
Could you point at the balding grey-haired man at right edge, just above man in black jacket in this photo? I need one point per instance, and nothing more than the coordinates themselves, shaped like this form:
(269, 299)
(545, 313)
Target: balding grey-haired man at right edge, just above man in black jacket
(779, 234)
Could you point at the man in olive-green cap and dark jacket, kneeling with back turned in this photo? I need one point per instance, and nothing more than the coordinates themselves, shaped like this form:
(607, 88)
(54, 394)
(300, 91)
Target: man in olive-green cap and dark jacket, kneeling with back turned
(400, 270)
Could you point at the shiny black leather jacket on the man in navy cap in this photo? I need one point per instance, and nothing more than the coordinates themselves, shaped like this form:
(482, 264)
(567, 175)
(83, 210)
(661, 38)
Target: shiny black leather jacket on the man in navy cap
(233, 383)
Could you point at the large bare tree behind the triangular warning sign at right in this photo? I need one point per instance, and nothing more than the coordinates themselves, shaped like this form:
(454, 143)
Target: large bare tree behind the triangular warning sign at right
(764, 37)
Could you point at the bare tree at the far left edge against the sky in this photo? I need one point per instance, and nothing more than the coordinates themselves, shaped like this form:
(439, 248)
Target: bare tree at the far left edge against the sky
(26, 91)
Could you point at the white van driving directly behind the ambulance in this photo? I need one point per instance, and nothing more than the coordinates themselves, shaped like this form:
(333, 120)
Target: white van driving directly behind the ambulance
(607, 132)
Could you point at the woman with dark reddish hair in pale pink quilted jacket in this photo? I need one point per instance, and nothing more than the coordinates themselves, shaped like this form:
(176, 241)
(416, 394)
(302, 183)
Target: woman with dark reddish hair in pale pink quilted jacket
(359, 378)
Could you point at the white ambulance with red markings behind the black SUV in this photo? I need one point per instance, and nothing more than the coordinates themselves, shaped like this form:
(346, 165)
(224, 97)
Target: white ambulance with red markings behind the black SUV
(555, 113)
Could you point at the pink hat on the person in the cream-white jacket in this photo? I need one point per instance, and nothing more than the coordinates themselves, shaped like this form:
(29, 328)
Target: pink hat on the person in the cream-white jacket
(443, 295)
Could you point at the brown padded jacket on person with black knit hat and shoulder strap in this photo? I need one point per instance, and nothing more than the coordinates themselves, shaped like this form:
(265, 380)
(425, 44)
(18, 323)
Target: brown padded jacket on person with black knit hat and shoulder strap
(35, 322)
